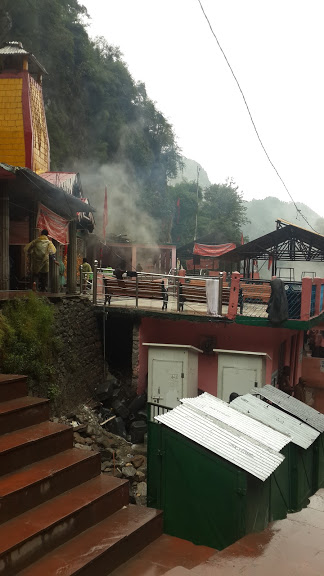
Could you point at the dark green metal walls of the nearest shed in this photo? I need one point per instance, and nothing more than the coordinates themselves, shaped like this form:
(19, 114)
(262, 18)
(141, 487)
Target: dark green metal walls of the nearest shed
(205, 499)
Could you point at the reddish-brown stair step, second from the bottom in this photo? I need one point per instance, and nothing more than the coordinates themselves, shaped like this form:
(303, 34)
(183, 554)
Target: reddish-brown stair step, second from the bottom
(28, 537)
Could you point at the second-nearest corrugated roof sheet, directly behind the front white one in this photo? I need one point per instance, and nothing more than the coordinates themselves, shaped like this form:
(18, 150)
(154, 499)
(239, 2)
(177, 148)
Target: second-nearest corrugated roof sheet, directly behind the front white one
(222, 411)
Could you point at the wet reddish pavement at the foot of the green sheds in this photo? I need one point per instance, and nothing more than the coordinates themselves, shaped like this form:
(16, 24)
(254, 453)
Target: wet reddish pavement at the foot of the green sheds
(290, 547)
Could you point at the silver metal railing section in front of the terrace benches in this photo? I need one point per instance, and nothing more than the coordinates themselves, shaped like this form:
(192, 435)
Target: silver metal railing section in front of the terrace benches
(175, 293)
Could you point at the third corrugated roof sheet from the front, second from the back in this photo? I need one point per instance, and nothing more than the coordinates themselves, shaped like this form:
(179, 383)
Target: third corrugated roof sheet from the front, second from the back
(298, 432)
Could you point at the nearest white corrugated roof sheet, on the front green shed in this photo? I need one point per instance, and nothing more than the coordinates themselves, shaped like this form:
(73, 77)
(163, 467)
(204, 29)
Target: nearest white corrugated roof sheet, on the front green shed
(223, 440)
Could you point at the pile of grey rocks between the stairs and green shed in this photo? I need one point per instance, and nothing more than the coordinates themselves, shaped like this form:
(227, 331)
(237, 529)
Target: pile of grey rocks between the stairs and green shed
(119, 457)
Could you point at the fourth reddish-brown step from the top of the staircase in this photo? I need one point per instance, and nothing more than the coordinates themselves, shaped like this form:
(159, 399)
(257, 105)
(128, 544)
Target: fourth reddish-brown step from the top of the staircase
(31, 486)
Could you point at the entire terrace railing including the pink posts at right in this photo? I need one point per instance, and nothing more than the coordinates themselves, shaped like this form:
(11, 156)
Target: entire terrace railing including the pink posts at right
(187, 295)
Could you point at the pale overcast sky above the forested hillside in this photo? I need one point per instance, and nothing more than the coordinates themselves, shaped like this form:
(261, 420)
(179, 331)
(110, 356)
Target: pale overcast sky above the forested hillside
(276, 50)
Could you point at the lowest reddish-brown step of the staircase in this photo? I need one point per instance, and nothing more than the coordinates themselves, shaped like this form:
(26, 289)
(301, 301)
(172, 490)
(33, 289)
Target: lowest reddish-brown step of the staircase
(104, 547)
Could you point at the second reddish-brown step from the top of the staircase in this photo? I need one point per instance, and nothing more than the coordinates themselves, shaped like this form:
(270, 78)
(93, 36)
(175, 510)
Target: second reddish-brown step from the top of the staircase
(22, 412)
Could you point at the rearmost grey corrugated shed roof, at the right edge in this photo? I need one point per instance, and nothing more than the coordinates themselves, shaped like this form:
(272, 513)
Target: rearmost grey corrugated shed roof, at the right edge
(292, 405)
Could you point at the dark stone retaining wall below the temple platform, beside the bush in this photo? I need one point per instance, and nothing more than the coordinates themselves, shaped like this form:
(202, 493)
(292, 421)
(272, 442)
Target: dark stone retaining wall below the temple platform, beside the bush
(79, 360)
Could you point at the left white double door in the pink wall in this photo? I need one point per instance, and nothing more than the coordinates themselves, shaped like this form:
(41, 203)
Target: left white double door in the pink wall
(172, 373)
